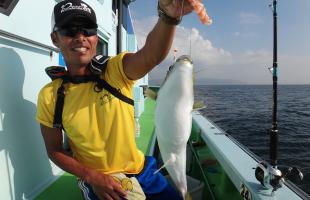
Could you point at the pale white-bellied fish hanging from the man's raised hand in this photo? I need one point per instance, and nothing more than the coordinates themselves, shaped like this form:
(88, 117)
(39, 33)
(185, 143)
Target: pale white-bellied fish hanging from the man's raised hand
(173, 119)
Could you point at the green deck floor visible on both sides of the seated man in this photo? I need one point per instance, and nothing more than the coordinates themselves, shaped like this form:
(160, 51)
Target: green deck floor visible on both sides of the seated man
(65, 187)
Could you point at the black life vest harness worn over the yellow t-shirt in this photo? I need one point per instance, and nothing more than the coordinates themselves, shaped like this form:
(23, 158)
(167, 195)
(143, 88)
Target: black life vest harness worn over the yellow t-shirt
(97, 67)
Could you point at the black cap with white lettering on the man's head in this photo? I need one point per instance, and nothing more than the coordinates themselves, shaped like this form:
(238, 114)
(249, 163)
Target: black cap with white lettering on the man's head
(68, 11)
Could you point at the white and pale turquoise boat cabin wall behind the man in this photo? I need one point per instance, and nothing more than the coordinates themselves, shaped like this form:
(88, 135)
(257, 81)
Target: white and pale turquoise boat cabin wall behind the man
(25, 51)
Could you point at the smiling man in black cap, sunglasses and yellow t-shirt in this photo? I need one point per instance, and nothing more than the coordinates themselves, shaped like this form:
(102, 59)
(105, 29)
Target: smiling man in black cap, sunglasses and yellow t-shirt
(99, 126)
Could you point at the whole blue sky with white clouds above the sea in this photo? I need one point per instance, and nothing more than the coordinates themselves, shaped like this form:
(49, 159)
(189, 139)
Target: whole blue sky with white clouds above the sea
(237, 47)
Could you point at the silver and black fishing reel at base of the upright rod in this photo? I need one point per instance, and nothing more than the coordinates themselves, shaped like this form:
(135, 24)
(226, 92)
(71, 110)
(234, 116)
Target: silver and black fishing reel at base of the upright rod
(273, 178)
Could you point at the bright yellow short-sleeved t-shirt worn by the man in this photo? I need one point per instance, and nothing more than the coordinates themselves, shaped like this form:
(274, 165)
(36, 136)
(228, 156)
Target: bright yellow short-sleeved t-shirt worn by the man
(99, 126)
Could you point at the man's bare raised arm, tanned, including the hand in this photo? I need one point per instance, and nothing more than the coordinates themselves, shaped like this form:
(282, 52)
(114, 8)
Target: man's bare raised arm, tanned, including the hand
(158, 41)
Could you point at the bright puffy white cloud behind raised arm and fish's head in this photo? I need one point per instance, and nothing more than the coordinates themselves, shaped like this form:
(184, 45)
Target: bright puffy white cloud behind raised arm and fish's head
(186, 41)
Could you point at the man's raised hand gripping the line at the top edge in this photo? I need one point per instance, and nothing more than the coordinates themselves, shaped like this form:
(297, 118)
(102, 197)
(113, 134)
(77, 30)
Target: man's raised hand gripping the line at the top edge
(173, 8)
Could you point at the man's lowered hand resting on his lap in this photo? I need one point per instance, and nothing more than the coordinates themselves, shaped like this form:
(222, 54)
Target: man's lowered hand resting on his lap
(106, 187)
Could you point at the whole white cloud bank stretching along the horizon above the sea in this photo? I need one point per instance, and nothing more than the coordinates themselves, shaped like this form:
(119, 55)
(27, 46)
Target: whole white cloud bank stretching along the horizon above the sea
(212, 62)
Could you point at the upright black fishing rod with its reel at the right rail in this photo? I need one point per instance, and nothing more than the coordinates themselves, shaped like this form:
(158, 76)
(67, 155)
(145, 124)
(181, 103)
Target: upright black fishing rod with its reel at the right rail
(268, 174)
